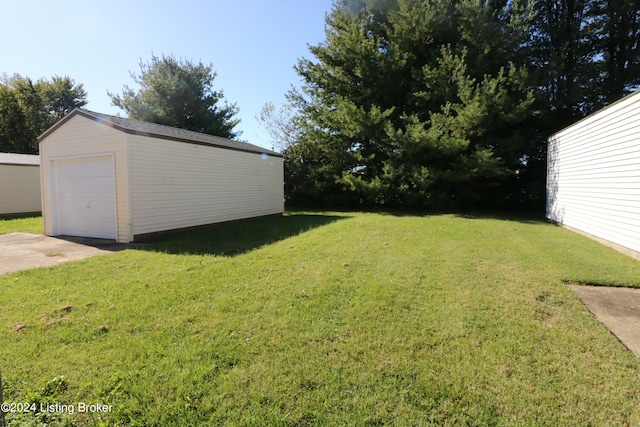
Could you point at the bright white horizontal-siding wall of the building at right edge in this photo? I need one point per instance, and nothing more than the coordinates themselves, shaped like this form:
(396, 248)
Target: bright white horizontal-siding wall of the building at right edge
(593, 175)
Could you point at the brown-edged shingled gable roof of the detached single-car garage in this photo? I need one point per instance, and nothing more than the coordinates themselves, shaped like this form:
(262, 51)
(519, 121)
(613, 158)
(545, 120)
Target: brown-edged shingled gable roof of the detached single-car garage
(155, 130)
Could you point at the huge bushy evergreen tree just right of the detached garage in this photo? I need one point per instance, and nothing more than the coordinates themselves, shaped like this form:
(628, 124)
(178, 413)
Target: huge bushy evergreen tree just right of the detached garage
(414, 106)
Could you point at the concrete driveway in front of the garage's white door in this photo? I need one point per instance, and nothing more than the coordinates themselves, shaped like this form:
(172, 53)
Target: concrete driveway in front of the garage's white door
(22, 251)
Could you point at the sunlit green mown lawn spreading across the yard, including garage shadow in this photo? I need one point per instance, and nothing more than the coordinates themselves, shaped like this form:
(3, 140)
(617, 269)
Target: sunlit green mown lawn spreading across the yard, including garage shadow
(325, 319)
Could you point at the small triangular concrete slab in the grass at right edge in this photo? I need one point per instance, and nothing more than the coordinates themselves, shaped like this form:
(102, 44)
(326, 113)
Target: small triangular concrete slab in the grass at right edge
(617, 308)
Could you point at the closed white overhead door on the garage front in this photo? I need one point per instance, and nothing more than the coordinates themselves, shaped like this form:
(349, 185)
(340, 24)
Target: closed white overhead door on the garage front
(84, 197)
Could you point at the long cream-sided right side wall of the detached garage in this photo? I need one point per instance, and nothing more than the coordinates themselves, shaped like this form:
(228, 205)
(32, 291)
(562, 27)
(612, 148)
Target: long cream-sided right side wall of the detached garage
(177, 185)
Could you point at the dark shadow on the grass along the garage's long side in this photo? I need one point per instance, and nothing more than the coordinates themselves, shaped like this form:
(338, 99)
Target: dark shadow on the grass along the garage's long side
(238, 237)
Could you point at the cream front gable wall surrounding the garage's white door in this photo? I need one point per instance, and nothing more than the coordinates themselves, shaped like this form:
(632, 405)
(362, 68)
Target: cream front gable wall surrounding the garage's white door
(79, 138)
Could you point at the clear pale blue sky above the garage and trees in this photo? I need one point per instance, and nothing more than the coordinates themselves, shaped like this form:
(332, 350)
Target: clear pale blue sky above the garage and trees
(252, 44)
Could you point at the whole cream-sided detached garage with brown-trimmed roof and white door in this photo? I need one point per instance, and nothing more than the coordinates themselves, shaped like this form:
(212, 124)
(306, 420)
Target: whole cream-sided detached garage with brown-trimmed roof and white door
(114, 178)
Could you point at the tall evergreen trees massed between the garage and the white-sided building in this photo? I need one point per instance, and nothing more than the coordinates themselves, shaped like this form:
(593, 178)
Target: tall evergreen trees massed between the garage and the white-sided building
(447, 104)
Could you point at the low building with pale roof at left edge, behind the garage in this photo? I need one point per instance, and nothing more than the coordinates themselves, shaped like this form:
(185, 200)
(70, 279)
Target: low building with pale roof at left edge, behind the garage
(19, 183)
